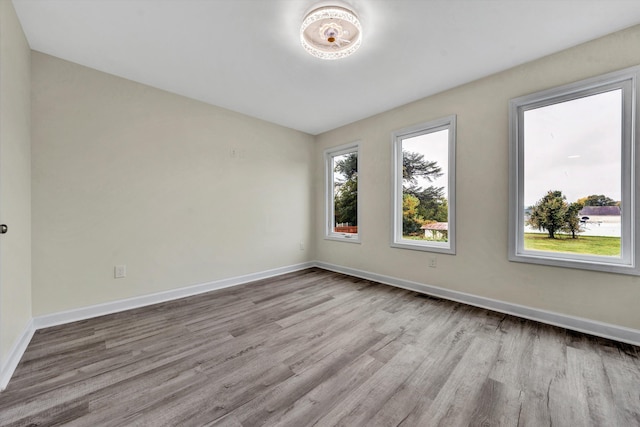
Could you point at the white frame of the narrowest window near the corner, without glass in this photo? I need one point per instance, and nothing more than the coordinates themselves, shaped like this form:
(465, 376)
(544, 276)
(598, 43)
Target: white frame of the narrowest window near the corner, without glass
(329, 154)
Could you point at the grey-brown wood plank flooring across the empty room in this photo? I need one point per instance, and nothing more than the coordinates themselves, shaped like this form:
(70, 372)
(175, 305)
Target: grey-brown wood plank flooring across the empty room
(325, 349)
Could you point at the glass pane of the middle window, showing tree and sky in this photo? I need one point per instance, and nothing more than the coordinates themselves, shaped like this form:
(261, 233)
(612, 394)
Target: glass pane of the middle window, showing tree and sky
(425, 211)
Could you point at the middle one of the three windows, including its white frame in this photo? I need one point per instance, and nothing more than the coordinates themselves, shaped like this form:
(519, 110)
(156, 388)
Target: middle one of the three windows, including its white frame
(424, 187)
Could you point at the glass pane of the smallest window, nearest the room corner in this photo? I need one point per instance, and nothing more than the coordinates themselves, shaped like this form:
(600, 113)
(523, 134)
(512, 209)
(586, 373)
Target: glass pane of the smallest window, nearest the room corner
(345, 193)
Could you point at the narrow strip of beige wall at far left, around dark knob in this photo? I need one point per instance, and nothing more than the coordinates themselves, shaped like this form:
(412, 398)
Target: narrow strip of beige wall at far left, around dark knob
(15, 181)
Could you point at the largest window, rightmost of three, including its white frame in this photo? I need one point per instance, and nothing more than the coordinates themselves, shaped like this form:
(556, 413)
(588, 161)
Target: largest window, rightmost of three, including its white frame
(572, 169)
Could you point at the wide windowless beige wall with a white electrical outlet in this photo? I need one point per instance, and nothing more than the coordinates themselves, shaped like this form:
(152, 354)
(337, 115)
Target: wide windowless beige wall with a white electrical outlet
(181, 192)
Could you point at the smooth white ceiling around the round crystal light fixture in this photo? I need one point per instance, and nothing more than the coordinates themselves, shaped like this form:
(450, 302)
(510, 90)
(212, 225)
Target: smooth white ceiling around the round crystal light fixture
(245, 55)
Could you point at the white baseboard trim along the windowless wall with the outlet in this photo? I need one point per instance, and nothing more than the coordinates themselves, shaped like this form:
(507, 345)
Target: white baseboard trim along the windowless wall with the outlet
(89, 312)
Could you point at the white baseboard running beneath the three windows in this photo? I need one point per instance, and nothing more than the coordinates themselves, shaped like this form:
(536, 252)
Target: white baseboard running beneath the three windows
(592, 327)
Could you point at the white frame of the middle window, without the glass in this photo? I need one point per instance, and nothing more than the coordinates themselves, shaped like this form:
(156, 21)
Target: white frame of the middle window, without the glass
(397, 240)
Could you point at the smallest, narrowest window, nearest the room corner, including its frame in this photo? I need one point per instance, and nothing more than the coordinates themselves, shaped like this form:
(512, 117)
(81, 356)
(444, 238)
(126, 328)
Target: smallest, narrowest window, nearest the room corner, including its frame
(342, 193)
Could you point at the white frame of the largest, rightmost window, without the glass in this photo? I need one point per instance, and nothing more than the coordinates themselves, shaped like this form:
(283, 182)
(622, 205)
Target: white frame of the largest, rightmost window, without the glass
(627, 263)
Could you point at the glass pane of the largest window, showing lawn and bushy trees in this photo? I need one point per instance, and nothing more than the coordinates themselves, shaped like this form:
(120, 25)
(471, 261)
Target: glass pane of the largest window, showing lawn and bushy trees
(572, 176)
